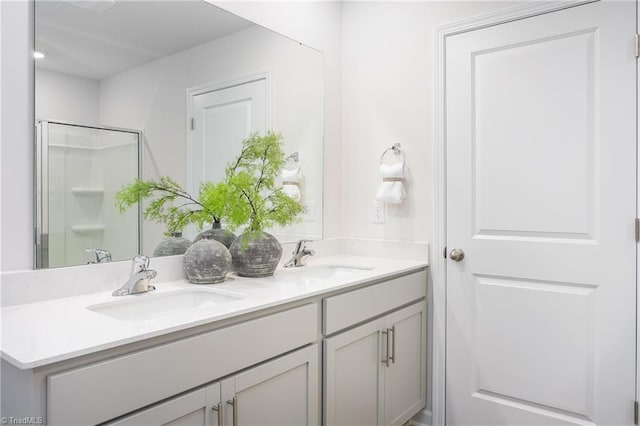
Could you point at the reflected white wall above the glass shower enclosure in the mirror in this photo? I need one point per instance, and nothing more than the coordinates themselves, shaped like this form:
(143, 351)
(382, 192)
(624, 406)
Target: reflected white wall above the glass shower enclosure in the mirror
(66, 98)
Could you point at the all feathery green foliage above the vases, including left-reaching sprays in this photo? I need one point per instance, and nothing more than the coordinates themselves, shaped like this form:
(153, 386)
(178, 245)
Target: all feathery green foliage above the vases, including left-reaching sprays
(248, 197)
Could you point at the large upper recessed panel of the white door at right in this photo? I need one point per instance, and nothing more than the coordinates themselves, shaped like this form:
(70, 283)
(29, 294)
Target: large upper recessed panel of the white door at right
(525, 75)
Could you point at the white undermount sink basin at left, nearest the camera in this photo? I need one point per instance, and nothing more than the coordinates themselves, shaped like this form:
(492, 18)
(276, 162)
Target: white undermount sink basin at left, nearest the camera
(153, 306)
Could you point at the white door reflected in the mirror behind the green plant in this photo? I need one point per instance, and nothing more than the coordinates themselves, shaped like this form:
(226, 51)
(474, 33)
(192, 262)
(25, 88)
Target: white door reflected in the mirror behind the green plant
(222, 117)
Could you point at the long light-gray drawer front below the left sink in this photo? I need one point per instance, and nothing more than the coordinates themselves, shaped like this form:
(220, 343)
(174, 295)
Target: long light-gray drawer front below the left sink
(105, 390)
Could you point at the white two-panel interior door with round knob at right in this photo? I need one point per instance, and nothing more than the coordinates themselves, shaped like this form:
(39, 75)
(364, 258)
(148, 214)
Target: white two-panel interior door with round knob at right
(541, 172)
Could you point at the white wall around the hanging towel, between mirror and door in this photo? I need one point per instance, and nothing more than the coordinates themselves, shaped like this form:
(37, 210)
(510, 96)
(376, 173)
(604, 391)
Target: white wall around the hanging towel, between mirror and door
(388, 70)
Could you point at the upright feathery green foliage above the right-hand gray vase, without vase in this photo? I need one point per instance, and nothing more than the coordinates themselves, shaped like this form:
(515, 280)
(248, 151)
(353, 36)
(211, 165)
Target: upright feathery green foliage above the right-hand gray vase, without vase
(251, 178)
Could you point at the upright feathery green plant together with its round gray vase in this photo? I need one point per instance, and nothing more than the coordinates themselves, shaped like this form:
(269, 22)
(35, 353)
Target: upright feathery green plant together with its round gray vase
(257, 202)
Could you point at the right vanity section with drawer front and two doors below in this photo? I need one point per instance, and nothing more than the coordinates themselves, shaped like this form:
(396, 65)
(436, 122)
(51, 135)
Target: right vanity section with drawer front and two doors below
(375, 373)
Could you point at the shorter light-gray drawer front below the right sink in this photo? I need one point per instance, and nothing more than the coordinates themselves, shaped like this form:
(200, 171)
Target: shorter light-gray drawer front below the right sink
(344, 310)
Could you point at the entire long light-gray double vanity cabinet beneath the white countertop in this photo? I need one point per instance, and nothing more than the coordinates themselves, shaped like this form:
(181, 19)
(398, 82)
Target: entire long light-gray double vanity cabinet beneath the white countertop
(352, 353)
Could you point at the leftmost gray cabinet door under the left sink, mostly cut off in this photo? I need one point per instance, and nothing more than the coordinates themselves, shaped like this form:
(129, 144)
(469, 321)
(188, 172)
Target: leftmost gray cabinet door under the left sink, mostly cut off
(193, 408)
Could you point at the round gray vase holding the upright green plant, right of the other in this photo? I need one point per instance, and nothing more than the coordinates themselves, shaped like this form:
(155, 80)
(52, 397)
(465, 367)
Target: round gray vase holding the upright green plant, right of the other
(255, 254)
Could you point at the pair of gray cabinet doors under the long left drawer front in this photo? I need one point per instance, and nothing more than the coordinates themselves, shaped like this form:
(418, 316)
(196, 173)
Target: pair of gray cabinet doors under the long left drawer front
(284, 391)
